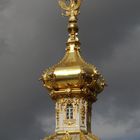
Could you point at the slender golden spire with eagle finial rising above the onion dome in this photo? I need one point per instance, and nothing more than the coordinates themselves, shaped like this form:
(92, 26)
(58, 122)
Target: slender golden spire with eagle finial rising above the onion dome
(72, 10)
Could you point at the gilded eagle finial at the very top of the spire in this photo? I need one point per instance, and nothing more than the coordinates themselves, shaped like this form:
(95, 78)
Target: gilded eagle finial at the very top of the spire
(70, 6)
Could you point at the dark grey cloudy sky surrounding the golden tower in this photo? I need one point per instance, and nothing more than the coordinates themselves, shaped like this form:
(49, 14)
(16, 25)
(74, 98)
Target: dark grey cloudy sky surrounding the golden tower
(32, 37)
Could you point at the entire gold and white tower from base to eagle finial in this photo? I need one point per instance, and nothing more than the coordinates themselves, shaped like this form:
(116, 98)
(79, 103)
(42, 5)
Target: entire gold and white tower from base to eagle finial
(73, 85)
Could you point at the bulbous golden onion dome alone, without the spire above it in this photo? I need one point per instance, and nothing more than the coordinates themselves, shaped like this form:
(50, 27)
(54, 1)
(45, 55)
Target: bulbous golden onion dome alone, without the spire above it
(73, 75)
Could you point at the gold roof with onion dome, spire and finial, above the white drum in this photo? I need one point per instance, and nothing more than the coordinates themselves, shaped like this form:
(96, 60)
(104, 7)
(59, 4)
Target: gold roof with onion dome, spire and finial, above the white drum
(72, 75)
